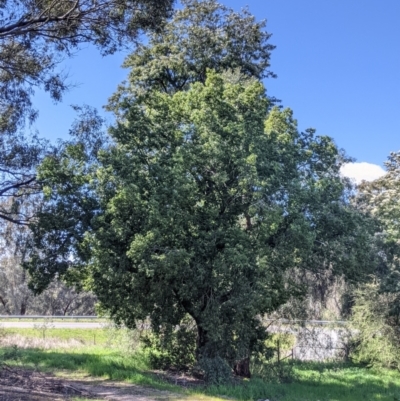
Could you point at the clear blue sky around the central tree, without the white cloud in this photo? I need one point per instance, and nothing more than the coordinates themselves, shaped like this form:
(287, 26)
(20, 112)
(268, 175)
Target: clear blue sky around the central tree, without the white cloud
(338, 67)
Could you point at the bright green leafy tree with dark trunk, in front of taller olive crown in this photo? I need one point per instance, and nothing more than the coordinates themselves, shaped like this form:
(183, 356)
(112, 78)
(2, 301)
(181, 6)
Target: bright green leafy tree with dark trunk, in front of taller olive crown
(203, 203)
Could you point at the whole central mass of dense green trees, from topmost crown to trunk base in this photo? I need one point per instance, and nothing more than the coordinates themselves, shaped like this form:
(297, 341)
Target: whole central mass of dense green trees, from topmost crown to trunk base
(204, 197)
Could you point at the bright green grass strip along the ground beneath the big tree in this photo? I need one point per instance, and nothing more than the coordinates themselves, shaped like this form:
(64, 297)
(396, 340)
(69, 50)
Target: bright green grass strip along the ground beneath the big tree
(313, 381)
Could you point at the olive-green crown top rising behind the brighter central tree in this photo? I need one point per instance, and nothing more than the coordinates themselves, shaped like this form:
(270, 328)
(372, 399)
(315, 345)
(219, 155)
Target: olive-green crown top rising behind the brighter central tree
(203, 35)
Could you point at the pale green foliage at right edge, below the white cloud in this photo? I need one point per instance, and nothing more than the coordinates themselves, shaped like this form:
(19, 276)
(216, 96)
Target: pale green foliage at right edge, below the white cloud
(376, 312)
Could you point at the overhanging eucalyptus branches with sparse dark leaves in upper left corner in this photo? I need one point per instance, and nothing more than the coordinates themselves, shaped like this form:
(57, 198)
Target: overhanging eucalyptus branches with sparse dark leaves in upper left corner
(35, 35)
